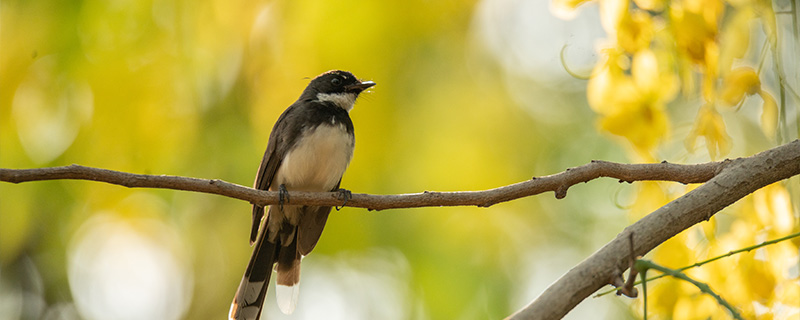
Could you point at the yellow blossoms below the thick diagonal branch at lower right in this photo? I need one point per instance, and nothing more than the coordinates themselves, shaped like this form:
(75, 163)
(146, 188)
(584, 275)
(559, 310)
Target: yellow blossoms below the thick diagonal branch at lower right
(761, 284)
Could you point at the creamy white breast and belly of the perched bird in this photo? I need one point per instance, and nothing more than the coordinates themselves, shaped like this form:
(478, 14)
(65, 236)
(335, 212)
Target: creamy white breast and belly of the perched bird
(318, 160)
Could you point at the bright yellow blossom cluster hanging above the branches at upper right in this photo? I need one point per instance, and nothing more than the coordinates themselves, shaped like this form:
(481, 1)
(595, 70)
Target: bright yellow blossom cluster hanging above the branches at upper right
(658, 48)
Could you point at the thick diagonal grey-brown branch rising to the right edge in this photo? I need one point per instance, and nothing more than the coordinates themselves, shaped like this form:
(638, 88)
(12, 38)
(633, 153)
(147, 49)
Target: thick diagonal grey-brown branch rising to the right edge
(736, 180)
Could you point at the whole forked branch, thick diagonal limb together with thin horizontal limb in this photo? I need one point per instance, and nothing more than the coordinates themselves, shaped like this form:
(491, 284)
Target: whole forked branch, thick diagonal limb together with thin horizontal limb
(725, 182)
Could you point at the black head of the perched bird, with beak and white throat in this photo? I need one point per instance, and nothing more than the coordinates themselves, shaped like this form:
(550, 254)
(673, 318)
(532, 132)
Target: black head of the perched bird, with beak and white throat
(337, 86)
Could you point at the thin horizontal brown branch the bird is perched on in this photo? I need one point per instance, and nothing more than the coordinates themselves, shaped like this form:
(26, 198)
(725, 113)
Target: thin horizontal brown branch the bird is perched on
(558, 183)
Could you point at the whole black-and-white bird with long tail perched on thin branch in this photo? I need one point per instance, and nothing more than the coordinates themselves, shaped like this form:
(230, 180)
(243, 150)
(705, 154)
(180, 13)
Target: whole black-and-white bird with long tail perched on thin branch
(309, 149)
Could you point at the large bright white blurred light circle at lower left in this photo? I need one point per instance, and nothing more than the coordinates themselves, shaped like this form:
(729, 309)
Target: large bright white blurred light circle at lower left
(121, 269)
